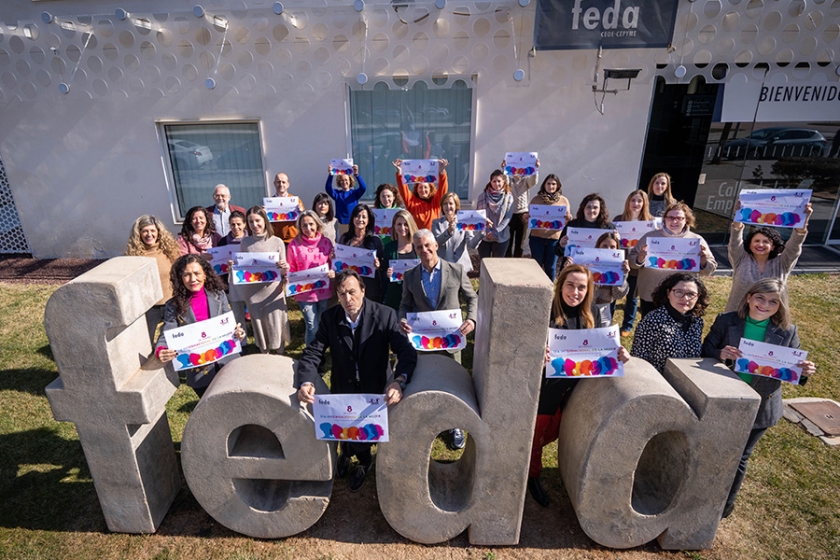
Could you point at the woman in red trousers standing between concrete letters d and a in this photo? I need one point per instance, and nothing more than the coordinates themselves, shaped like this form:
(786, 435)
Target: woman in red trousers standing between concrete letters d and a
(572, 308)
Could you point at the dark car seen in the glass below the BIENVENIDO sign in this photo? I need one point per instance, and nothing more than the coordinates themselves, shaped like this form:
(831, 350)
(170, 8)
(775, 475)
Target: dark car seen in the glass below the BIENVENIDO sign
(777, 142)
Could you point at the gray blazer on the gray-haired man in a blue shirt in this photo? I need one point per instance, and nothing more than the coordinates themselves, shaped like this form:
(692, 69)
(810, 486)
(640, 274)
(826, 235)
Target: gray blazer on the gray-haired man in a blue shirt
(453, 281)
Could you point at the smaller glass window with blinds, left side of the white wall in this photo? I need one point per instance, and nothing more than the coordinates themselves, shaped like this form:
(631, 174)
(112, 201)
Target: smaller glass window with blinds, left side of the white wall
(202, 156)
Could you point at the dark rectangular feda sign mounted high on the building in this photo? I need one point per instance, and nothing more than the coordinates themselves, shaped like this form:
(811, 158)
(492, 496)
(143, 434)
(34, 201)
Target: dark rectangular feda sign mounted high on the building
(586, 24)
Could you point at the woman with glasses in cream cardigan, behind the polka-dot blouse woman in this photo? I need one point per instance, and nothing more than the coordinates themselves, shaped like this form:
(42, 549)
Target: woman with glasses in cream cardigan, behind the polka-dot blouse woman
(677, 223)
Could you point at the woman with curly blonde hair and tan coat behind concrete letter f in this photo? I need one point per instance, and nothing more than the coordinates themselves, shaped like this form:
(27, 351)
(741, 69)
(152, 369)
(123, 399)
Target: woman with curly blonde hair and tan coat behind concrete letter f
(150, 238)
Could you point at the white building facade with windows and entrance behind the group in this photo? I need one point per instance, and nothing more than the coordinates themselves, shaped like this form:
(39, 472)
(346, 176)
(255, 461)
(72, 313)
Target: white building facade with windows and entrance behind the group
(113, 109)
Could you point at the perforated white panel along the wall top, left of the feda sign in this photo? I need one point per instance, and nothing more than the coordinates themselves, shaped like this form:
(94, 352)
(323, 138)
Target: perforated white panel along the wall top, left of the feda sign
(247, 47)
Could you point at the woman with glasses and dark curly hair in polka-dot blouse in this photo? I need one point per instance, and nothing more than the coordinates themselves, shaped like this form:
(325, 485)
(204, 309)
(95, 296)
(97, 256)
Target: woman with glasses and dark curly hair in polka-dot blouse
(675, 328)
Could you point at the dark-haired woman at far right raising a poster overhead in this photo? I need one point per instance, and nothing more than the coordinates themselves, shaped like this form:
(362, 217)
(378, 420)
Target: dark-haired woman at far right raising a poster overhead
(762, 255)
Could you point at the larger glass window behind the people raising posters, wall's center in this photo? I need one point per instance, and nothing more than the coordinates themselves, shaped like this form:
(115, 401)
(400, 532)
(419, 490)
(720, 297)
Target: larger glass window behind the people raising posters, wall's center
(416, 123)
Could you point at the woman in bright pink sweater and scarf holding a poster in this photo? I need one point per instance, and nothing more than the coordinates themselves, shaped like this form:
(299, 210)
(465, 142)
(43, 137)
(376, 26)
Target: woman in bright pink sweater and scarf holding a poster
(310, 249)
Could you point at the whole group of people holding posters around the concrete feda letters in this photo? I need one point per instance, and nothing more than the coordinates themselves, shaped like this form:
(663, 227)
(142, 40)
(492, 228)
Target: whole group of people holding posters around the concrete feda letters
(362, 320)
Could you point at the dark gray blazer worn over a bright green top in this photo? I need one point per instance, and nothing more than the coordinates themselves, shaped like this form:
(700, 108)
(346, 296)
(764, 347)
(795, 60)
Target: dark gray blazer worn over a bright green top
(728, 330)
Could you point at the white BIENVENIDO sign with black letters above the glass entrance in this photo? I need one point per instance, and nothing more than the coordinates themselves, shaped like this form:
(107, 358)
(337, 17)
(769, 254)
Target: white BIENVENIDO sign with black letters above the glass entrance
(789, 102)
